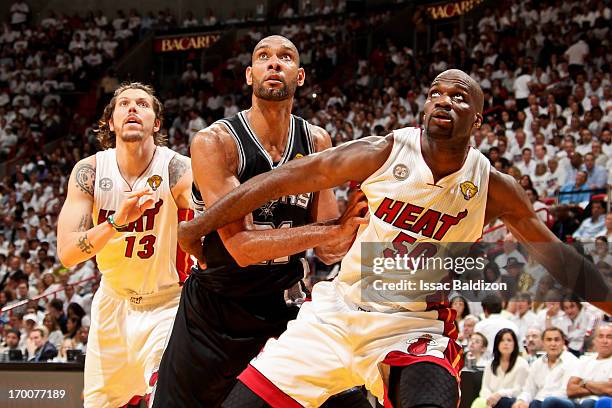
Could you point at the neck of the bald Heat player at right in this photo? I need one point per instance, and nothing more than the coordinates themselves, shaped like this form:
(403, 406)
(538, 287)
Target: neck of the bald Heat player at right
(443, 158)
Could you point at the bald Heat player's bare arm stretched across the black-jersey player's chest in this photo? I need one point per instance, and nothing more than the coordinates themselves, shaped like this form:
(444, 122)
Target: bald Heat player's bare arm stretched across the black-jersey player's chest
(354, 161)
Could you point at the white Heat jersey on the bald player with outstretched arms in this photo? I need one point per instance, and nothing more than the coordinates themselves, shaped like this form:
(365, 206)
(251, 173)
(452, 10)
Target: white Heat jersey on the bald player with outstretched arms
(409, 214)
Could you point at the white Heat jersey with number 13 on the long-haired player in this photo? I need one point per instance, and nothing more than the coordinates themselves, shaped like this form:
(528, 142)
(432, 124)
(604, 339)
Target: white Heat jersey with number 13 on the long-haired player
(141, 259)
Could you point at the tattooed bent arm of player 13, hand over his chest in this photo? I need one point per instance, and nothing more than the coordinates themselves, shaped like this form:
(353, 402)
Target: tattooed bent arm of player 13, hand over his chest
(77, 239)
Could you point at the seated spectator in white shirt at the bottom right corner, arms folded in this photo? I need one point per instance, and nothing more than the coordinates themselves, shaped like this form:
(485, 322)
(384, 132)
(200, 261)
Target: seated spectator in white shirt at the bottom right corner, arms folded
(591, 378)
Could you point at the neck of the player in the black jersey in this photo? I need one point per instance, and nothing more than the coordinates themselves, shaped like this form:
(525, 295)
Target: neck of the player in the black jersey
(270, 121)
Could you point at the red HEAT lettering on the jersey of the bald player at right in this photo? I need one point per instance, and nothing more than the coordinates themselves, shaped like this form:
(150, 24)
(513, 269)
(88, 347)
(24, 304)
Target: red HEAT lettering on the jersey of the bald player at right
(409, 217)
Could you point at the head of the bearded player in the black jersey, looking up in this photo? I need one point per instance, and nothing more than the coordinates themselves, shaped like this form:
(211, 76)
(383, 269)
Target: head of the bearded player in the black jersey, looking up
(275, 71)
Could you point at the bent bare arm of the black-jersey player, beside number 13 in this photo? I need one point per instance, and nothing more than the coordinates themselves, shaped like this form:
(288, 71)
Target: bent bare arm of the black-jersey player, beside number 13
(217, 177)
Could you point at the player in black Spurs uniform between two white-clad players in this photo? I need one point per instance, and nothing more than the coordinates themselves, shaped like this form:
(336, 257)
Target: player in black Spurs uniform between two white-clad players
(229, 309)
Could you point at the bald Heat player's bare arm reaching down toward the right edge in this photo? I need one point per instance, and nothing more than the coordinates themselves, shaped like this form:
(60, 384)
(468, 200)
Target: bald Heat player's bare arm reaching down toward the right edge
(508, 201)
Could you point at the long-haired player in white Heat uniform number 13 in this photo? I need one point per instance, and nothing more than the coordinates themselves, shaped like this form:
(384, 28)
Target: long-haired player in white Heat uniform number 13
(123, 207)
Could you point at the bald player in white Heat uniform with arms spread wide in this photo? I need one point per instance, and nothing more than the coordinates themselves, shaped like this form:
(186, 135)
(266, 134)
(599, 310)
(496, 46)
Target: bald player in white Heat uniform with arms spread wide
(423, 186)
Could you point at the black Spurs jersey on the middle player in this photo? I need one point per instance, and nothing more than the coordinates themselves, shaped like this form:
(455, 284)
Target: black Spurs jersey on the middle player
(223, 274)
